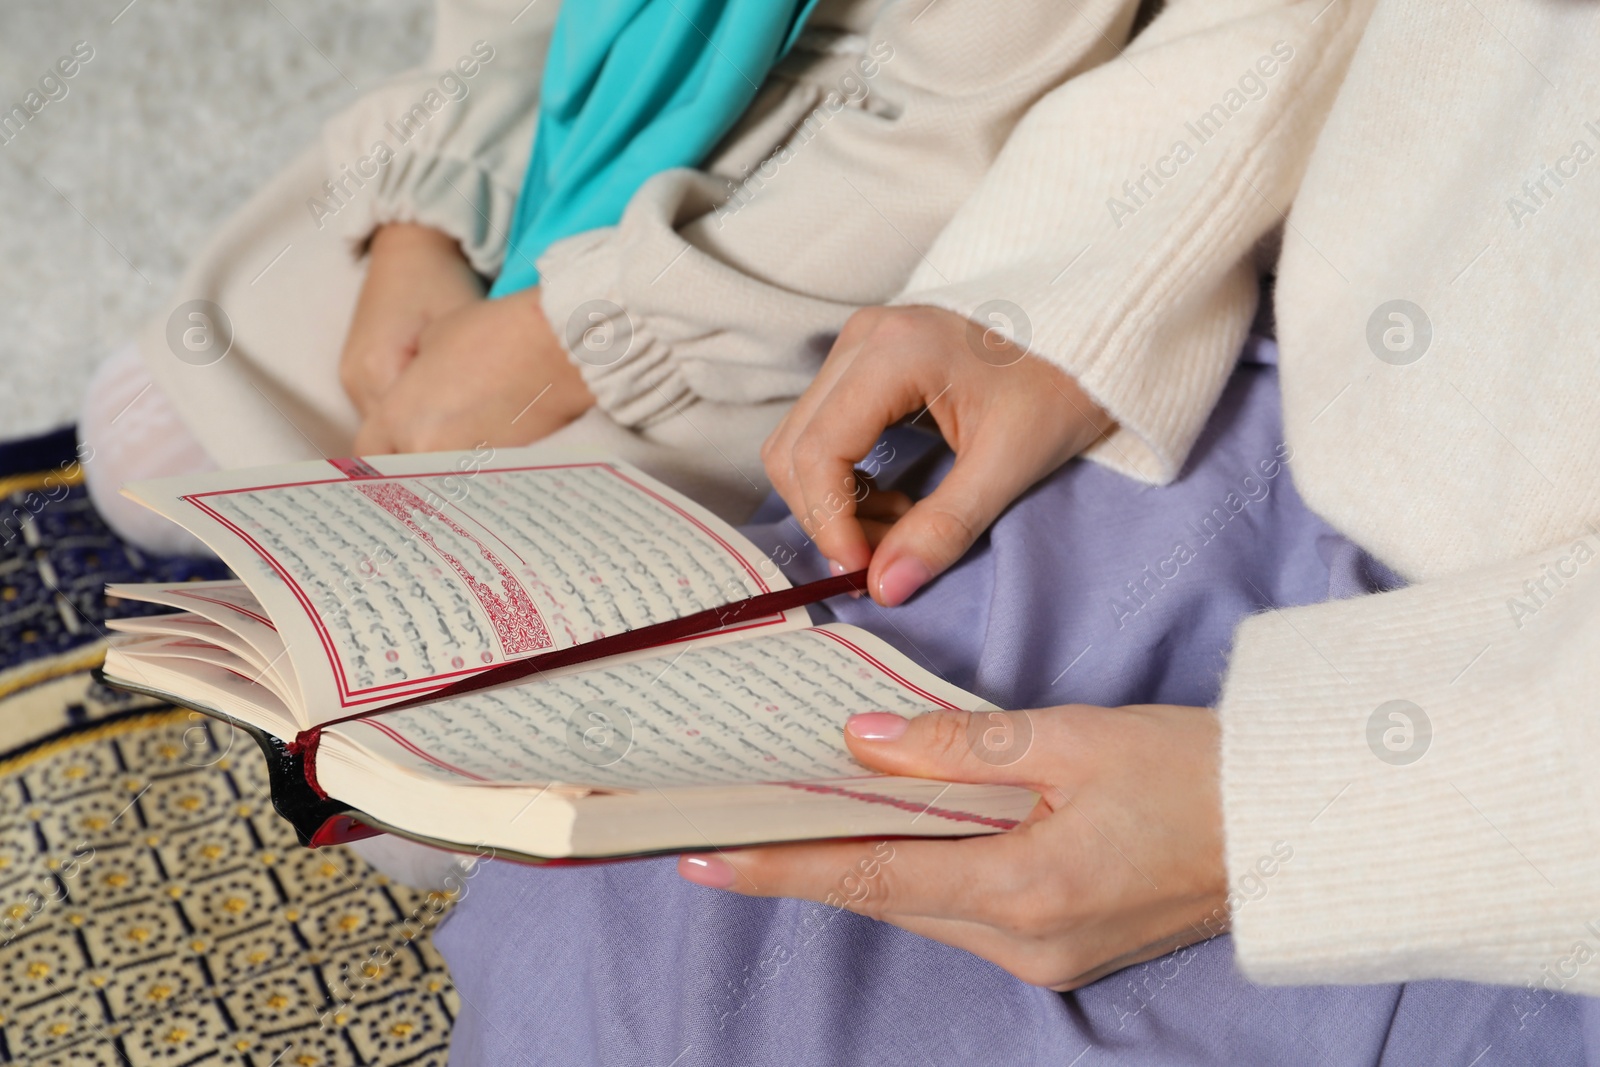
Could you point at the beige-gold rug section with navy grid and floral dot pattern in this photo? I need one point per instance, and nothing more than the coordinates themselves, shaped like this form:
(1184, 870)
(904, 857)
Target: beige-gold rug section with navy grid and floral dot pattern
(185, 922)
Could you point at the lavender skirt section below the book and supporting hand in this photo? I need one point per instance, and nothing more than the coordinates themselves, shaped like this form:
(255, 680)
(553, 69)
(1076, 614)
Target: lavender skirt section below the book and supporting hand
(631, 965)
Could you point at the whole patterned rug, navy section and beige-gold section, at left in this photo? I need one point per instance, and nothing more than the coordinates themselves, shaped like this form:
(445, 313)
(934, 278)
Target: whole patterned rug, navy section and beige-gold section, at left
(154, 909)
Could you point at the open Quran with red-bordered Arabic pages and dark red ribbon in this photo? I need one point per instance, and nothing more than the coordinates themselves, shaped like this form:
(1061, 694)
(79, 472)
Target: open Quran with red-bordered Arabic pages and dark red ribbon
(532, 660)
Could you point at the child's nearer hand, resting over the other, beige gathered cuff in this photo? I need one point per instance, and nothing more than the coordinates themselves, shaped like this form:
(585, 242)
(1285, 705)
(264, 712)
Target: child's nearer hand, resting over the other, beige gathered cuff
(487, 374)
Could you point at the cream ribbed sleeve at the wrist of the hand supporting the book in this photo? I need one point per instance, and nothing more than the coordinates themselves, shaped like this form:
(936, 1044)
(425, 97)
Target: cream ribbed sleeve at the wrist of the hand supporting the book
(1426, 762)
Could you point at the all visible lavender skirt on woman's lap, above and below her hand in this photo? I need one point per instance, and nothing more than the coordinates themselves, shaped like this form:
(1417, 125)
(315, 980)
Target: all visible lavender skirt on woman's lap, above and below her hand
(1089, 591)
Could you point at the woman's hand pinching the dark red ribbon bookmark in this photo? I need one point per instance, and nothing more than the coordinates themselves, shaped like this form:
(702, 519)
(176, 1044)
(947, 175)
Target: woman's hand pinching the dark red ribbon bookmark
(1010, 418)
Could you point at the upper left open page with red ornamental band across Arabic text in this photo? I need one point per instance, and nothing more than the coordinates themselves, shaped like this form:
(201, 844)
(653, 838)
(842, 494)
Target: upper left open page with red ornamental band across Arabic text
(398, 575)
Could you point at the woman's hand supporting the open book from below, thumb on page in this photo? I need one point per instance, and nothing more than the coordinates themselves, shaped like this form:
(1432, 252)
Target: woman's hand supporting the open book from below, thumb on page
(1121, 861)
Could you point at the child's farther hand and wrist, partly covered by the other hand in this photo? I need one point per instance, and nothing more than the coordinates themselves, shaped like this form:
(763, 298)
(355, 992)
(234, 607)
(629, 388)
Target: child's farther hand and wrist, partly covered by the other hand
(417, 274)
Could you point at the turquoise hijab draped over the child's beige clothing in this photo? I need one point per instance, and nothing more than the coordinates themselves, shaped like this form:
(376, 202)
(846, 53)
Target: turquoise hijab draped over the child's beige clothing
(633, 89)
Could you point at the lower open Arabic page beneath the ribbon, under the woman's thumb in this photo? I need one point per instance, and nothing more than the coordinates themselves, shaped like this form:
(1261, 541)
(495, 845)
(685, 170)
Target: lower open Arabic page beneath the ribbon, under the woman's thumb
(769, 709)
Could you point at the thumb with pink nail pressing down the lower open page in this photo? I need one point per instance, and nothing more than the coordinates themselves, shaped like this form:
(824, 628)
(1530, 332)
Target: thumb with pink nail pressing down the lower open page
(977, 748)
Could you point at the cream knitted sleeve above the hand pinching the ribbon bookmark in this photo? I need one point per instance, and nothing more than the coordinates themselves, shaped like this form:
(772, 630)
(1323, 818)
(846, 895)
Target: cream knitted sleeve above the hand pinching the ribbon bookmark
(1114, 236)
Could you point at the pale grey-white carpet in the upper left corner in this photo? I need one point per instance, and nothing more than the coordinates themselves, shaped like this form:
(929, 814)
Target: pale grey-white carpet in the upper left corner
(183, 111)
